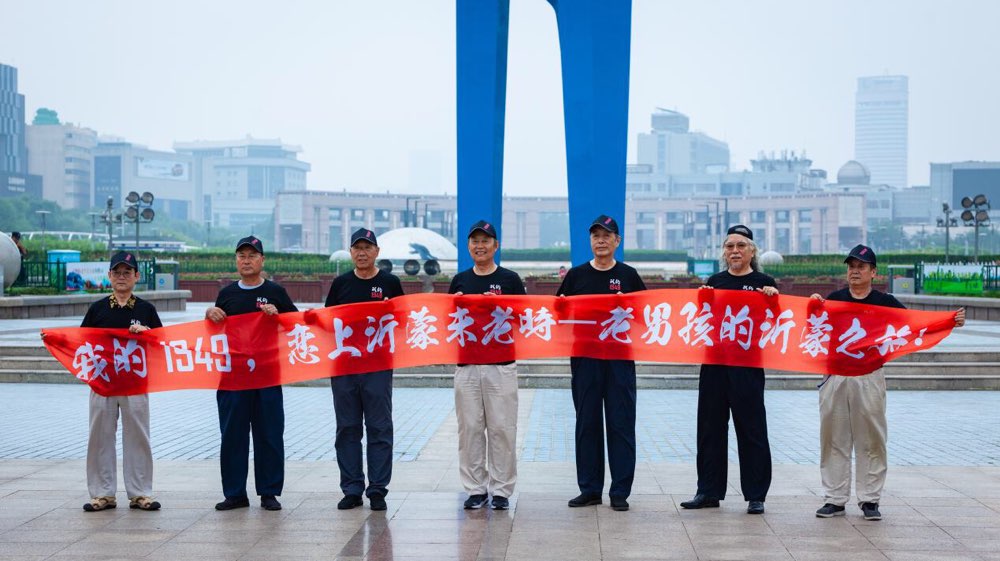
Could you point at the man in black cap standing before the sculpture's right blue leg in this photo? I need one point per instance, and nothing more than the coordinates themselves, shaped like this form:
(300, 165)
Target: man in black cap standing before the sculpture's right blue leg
(603, 388)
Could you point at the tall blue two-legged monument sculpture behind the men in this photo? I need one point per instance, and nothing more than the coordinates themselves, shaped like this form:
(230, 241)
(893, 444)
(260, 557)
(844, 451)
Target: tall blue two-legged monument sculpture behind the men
(594, 37)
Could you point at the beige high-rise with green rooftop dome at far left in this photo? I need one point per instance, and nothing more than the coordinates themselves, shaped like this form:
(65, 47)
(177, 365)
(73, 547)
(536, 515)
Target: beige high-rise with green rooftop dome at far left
(63, 154)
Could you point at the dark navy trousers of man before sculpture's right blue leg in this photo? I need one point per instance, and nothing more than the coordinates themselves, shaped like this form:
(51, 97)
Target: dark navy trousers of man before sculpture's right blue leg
(604, 394)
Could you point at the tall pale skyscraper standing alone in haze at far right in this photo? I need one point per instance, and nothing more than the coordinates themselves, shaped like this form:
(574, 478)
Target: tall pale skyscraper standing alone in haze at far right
(881, 120)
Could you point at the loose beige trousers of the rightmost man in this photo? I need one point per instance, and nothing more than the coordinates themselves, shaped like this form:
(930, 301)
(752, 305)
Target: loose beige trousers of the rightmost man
(852, 416)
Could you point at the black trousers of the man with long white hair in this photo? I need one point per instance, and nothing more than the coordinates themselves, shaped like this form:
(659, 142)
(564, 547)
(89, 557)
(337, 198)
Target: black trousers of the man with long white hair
(722, 389)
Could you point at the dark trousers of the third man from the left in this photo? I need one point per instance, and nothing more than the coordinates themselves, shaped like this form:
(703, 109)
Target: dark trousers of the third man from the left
(363, 403)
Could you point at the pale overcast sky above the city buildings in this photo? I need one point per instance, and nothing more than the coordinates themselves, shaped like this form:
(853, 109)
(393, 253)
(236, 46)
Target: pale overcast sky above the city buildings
(367, 88)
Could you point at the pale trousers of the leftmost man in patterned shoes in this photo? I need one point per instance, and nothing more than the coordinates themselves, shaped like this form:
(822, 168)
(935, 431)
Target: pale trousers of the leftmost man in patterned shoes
(137, 456)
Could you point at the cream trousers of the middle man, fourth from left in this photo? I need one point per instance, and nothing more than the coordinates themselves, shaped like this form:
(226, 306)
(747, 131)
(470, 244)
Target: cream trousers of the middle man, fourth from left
(486, 407)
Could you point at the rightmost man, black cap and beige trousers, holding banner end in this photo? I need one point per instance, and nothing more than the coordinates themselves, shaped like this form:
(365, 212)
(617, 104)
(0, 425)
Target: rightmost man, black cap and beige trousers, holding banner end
(852, 408)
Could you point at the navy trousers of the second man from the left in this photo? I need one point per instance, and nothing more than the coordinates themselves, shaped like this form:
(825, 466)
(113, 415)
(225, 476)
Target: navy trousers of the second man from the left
(262, 414)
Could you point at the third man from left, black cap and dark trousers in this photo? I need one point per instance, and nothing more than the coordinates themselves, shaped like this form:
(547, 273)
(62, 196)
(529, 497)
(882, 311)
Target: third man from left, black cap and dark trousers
(366, 397)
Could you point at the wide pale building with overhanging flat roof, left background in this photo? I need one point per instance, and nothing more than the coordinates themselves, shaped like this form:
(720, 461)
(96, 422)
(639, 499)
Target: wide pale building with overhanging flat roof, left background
(238, 180)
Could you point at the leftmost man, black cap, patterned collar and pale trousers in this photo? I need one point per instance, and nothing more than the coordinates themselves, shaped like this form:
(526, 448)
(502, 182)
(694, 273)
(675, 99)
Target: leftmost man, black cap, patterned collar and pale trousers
(121, 310)
